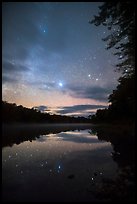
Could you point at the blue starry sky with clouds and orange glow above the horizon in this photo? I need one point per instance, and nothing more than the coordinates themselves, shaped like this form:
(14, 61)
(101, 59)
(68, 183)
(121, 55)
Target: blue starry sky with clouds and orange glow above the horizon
(54, 60)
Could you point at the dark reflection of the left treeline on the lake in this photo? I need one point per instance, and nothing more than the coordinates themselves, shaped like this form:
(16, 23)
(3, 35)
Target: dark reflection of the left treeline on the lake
(16, 134)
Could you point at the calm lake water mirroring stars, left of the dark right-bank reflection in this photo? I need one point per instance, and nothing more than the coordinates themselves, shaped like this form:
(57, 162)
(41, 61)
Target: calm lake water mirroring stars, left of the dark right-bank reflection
(54, 163)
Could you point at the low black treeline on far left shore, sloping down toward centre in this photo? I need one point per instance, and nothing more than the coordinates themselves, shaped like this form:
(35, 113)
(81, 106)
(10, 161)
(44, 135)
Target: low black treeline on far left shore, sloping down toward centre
(11, 113)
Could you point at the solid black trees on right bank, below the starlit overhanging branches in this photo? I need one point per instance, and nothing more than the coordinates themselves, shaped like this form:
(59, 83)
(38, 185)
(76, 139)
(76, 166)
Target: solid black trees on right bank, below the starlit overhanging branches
(122, 103)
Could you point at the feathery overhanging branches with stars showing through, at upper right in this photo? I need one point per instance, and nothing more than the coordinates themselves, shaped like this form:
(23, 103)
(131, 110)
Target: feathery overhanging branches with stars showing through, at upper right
(119, 17)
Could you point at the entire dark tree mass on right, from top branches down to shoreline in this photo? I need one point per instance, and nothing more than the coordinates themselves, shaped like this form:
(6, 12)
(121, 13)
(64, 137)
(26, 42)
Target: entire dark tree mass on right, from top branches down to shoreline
(119, 18)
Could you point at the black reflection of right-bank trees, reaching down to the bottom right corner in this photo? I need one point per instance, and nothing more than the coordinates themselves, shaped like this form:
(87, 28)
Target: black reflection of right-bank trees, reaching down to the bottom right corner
(122, 188)
